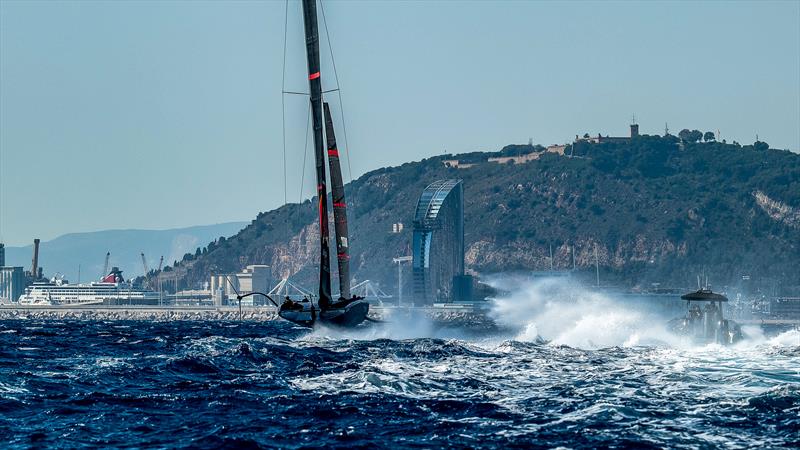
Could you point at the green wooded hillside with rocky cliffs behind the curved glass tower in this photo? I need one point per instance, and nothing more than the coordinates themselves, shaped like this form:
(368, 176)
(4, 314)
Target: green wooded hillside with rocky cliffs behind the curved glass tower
(657, 210)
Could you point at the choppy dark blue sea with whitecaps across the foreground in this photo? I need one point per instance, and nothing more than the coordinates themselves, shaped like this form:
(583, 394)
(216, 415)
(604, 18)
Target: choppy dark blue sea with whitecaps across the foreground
(94, 384)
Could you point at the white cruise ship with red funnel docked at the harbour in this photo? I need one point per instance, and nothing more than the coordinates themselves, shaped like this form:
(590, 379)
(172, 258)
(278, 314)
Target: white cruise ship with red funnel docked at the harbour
(111, 290)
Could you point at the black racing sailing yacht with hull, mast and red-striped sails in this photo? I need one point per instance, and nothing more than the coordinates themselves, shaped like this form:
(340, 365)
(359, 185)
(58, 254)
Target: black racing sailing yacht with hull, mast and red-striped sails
(347, 310)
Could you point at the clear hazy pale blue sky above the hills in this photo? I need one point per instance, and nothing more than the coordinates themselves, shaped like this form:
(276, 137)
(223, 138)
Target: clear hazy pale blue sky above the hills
(157, 114)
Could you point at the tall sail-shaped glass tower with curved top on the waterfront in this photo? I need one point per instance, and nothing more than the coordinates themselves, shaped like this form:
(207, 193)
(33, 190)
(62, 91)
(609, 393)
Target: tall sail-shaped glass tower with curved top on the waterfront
(438, 242)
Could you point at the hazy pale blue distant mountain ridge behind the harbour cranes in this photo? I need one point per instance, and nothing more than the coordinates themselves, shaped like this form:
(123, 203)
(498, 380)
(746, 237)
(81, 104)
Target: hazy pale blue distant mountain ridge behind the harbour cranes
(64, 254)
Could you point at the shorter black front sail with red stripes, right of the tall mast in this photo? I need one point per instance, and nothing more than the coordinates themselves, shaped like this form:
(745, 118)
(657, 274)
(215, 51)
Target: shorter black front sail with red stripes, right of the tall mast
(339, 206)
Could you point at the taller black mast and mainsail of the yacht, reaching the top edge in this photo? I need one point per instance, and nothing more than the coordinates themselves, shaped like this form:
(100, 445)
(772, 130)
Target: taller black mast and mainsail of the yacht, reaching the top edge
(315, 84)
